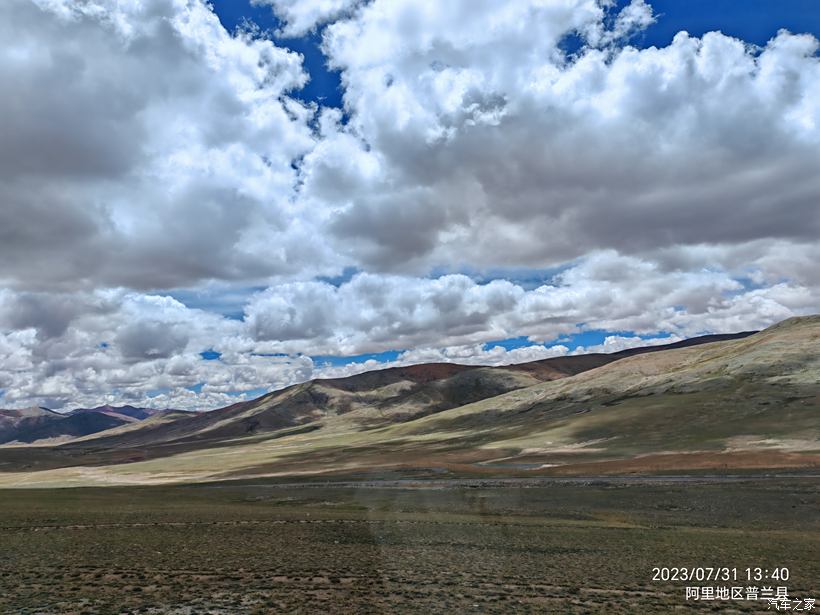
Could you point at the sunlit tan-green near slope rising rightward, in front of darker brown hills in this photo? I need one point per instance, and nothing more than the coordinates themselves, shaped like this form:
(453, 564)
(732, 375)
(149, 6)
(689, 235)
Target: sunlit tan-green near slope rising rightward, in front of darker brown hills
(751, 403)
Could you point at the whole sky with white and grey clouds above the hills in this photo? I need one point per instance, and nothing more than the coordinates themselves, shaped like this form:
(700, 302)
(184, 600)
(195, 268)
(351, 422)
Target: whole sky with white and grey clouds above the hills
(188, 225)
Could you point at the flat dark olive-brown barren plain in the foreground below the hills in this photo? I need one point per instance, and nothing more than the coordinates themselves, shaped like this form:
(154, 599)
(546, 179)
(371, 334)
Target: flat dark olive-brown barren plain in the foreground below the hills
(447, 546)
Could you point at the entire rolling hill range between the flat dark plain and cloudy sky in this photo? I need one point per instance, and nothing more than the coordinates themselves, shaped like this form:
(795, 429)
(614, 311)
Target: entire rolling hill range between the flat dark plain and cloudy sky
(749, 401)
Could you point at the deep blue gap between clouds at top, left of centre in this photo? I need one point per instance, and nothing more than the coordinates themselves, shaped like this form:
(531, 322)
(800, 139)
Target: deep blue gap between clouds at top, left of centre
(325, 86)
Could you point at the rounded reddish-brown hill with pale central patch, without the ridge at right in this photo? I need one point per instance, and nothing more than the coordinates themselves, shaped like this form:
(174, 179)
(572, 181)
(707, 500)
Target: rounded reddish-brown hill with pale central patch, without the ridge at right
(366, 401)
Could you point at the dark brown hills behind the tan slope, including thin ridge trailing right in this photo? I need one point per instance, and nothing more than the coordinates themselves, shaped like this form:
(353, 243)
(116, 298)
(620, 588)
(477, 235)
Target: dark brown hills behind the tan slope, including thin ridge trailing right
(368, 400)
